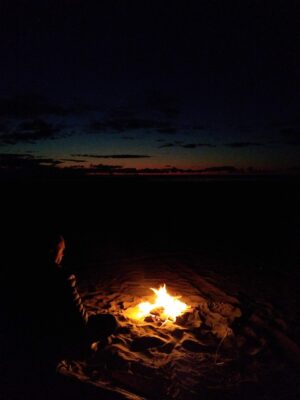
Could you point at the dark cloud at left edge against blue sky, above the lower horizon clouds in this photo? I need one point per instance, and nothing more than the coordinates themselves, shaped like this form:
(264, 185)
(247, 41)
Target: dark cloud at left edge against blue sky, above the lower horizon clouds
(31, 132)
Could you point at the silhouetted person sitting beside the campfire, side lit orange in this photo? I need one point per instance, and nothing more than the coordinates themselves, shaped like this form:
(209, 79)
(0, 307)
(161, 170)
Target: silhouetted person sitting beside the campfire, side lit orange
(66, 328)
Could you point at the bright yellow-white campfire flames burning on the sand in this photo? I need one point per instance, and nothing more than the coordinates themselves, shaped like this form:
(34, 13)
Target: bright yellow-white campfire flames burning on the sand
(166, 306)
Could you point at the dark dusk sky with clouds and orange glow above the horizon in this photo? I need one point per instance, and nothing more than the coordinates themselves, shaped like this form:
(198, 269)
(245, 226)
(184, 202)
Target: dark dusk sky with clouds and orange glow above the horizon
(124, 87)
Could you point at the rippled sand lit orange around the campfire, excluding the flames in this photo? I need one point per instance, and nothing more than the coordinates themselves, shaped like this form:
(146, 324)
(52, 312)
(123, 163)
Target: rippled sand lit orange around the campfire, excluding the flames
(213, 347)
